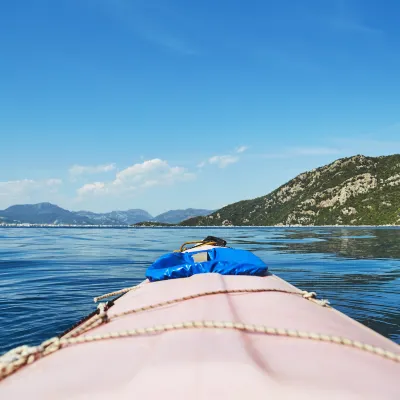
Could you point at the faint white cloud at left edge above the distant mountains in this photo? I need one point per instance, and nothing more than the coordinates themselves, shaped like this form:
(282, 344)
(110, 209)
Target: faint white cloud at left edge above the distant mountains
(27, 191)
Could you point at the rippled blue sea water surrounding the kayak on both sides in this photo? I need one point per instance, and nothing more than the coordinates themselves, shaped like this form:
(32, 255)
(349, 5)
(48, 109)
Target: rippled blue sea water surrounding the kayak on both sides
(48, 277)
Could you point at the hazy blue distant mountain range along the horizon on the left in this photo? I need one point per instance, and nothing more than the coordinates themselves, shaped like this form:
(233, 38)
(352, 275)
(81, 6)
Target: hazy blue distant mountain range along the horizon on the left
(48, 213)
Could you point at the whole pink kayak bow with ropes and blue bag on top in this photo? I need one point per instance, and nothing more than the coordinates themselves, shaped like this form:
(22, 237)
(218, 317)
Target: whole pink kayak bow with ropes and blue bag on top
(209, 322)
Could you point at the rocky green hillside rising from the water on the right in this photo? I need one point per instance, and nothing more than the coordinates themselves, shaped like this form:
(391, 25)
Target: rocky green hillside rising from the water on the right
(350, 191)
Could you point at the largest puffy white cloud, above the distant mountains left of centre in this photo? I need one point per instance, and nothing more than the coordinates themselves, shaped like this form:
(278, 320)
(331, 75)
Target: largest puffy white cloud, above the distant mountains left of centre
(138, 177)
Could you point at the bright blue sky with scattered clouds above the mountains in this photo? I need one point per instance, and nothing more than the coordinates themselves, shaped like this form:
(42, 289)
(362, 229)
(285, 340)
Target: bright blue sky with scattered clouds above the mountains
(164, 104)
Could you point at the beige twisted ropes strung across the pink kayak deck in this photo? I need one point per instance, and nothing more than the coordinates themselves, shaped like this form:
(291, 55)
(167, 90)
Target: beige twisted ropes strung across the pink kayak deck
(13, 360)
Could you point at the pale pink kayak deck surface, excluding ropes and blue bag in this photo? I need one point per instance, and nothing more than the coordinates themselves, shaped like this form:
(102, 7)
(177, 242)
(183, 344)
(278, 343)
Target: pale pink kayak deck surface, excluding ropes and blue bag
(215, 363)
